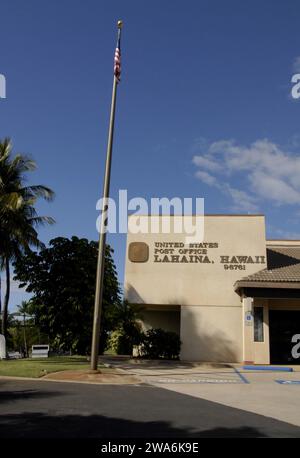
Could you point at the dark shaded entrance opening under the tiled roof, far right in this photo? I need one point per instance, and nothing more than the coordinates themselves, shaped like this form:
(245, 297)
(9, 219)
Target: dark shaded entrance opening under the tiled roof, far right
(283, 325)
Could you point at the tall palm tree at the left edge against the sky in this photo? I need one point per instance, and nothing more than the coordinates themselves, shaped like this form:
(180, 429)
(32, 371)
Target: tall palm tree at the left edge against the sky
(18, 217)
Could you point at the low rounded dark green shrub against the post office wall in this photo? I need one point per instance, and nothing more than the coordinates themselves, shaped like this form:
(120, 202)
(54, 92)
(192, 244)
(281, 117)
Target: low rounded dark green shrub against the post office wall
(158, 343)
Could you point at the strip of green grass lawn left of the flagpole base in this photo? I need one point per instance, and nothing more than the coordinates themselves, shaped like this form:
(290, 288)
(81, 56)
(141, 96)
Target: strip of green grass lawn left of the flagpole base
(39, 367)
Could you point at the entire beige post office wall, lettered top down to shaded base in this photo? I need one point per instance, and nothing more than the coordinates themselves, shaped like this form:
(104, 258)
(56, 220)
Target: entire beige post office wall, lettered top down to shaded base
(211, 325)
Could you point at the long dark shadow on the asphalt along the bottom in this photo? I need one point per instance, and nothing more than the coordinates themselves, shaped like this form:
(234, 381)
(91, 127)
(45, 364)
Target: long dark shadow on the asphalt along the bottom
(37, 425)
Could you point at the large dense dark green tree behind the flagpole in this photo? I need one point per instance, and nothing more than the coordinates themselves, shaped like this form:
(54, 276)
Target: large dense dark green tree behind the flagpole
(62, 281)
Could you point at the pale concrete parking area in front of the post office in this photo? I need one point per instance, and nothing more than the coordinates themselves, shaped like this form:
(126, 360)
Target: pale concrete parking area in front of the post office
(255, 391)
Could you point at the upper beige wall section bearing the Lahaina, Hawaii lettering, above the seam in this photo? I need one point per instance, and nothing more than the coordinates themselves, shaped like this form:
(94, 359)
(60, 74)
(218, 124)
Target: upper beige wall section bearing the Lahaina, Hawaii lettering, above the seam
(197, 284)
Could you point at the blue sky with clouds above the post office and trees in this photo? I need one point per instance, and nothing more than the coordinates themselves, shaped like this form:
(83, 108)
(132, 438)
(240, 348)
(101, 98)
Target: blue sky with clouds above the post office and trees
(204, 106)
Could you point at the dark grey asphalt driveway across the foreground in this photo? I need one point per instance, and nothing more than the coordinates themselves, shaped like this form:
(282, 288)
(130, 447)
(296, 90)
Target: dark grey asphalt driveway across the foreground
(43, 409)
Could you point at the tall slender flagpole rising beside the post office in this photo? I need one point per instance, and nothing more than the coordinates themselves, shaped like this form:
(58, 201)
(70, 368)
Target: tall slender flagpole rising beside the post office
(102, 235)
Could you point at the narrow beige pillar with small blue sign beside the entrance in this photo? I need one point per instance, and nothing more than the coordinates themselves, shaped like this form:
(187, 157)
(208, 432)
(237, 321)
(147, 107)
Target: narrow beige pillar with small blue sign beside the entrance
(248, 331)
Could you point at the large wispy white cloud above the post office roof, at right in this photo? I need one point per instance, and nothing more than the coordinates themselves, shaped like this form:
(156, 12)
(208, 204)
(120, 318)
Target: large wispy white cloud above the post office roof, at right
(268, 172)
